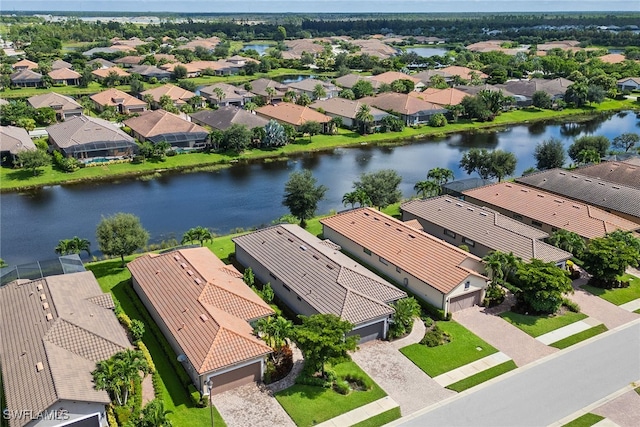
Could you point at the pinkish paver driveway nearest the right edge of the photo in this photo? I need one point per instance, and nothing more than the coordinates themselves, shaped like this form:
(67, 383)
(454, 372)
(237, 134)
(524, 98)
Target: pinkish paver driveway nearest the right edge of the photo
(593, 306)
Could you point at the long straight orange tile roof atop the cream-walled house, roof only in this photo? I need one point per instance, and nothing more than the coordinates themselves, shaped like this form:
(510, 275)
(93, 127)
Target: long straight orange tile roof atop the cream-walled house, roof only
(433, 261)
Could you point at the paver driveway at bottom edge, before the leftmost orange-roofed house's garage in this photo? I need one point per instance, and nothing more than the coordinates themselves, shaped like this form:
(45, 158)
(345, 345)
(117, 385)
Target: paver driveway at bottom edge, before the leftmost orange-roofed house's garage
(251, 405)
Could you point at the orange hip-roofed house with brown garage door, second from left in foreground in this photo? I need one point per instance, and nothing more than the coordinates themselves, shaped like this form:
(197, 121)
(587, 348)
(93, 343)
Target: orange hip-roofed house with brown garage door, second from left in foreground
(207, 320)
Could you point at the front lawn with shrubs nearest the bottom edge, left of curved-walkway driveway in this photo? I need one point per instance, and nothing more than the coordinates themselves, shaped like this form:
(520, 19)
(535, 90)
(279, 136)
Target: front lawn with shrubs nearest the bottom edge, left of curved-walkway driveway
(309, 405)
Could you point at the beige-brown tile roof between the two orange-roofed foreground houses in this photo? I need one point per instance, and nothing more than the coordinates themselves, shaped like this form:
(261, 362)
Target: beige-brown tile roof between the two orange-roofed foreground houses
(326, 279)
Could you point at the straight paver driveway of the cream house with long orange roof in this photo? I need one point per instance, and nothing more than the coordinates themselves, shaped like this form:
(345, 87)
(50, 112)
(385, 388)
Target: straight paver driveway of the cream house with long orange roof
(522, 348)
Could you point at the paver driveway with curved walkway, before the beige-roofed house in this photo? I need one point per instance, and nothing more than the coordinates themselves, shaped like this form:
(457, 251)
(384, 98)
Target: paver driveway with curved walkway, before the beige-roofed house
(403, 381)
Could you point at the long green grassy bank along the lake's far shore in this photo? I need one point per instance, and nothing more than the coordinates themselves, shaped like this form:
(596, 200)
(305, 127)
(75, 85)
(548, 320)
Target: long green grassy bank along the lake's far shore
(18, 179)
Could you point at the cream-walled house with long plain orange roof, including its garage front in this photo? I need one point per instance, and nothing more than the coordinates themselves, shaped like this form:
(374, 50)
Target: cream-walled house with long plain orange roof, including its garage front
(437, 272)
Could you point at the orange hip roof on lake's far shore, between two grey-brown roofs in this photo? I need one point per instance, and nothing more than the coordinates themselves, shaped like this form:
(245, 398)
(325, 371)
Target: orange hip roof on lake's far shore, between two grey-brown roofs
(158, 122)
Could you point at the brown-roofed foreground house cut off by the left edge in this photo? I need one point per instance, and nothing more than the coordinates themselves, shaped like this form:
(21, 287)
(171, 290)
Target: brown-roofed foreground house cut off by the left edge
(54, 330)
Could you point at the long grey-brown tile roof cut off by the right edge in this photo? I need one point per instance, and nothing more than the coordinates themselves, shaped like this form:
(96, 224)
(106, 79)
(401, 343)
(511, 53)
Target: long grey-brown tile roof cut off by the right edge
(615, 198)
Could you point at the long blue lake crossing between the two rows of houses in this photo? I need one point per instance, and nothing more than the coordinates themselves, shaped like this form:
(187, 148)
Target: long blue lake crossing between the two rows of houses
(249, 195)
